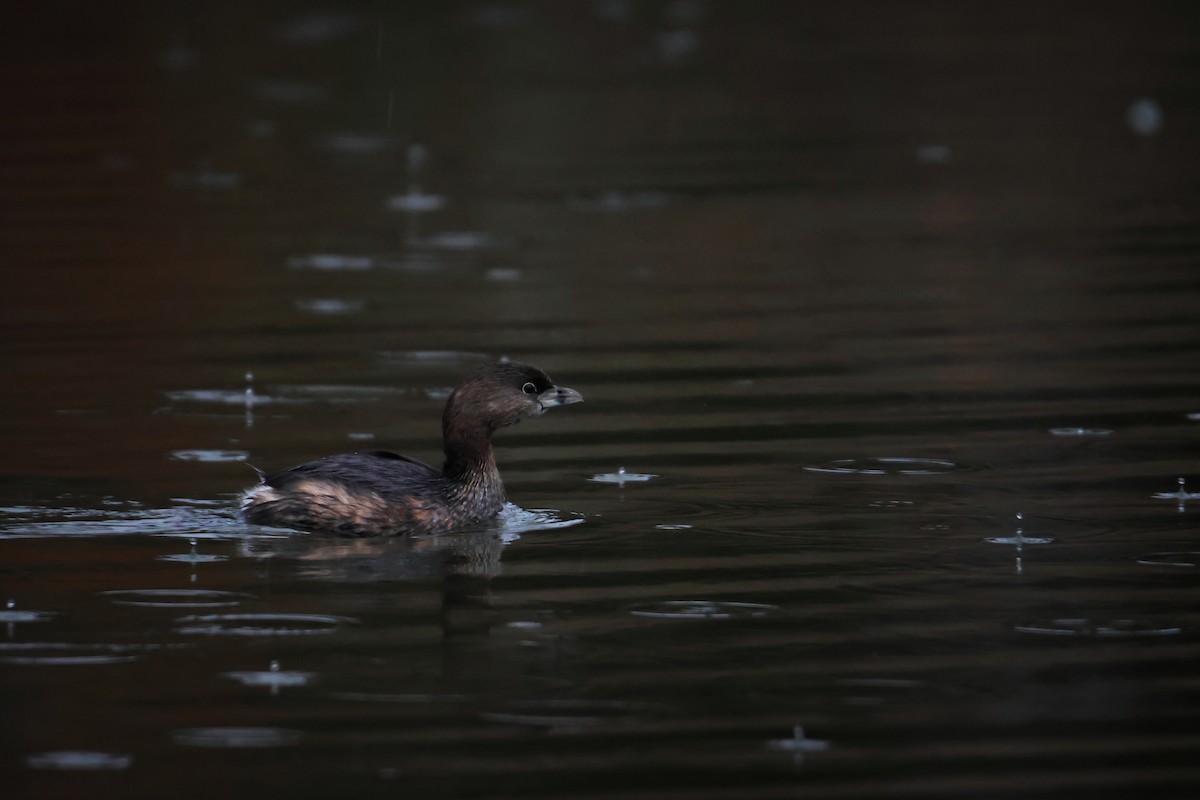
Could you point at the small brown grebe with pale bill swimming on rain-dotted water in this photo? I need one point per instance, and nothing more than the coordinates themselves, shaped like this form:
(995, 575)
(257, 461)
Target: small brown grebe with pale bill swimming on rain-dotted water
(385, 495)
